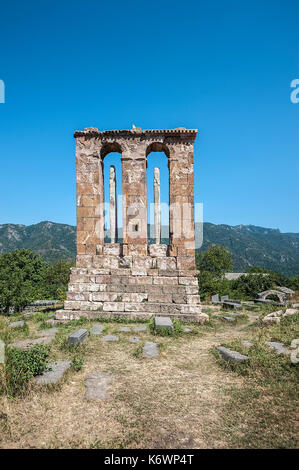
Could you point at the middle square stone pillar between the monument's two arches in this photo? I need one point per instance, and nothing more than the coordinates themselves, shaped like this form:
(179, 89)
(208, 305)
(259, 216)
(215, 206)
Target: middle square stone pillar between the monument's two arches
(134, 201)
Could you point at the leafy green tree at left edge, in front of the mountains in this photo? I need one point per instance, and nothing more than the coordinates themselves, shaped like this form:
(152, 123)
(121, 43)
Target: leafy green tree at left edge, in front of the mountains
(22, 274)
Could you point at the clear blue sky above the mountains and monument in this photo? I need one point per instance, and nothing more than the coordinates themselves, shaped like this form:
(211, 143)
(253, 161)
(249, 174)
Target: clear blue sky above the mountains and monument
(224, 67)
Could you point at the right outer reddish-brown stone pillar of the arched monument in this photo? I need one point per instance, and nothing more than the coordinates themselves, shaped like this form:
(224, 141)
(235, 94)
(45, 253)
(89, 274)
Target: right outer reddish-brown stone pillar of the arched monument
(181, 199)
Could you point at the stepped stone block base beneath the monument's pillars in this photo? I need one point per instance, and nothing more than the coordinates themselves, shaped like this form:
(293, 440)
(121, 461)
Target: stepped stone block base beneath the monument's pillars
(138, 287)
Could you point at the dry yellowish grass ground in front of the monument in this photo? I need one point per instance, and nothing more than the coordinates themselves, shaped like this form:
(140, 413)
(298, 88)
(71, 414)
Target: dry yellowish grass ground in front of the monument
(177, 401)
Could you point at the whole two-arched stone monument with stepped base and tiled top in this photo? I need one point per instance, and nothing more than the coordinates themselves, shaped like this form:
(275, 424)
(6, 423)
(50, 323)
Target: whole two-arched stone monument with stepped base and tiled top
(134, 278)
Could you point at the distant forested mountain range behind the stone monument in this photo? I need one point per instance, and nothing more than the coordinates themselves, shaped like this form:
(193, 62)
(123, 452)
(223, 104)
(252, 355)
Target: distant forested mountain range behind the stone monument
(250, 245)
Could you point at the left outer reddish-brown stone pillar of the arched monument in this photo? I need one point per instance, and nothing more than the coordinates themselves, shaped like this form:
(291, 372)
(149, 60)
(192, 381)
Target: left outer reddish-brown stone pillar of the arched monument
(90, 195)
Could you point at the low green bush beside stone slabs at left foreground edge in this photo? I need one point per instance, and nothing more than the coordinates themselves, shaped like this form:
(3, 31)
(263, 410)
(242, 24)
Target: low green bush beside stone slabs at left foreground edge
(20, 367)
